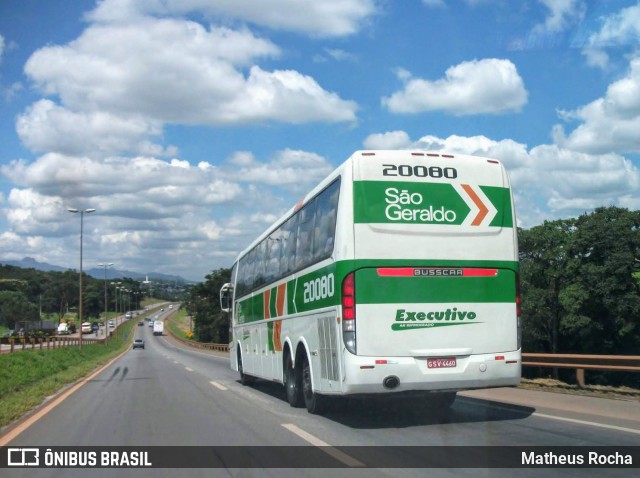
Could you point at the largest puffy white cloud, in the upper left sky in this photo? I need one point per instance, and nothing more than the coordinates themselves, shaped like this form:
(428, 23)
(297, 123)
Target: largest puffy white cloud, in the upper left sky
(118, 84)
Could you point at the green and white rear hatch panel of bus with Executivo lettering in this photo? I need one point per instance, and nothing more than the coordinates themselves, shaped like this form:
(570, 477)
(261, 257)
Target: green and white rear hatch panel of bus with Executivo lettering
(401, 310)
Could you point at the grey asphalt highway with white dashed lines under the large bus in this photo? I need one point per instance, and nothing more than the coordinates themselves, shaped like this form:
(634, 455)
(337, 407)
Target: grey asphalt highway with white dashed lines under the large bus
(166, 395)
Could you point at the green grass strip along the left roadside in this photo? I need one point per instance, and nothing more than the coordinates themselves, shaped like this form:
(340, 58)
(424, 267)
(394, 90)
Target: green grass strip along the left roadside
(28, 377)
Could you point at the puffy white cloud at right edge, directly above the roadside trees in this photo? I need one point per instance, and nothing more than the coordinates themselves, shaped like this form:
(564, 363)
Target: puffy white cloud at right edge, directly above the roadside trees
(610, 123)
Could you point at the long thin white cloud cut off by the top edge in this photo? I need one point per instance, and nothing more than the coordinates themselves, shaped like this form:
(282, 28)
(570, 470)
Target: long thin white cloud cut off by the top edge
(328, 18)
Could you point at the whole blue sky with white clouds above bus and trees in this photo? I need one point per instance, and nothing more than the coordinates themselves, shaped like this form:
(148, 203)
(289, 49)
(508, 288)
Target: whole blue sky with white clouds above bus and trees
(191, 125)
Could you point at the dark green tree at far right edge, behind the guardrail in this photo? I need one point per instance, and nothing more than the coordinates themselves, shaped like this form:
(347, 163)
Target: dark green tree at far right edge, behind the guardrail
(605, 300)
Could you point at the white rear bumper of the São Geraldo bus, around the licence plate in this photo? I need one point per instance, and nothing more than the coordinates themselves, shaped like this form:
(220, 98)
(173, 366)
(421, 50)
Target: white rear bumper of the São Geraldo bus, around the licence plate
(382, 375)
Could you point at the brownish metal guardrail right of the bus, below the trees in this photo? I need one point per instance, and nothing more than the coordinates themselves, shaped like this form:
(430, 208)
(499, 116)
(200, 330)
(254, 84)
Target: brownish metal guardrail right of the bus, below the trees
(580, 363)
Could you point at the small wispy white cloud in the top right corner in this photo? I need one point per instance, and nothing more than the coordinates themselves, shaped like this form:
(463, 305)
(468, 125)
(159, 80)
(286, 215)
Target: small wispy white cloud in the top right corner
(619, 29)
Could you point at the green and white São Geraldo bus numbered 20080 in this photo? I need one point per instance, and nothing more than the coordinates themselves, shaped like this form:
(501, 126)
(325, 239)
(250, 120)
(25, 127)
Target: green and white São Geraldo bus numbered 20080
(397, 274)
